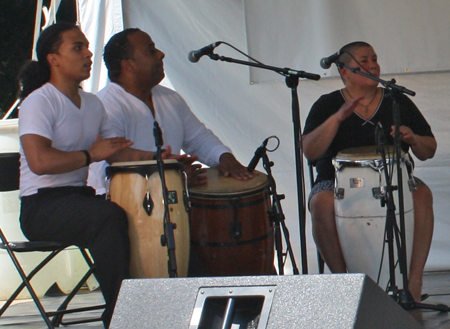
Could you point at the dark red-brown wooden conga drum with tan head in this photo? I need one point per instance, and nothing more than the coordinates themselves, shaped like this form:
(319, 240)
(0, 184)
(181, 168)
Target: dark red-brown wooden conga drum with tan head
(231, 233)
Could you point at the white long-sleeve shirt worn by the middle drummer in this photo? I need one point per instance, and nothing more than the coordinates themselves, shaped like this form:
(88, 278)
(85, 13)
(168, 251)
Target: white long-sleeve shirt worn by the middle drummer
(132, 118)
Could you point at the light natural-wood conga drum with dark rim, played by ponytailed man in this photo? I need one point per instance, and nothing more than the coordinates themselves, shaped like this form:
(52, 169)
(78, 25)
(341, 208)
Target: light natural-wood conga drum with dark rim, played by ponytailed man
(136, 187)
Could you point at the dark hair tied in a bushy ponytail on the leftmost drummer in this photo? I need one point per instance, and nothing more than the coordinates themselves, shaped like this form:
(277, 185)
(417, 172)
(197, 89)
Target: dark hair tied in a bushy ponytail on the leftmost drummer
(34, 74)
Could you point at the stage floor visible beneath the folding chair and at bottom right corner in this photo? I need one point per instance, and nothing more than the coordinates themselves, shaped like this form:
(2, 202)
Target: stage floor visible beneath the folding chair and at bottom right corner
(24, 315)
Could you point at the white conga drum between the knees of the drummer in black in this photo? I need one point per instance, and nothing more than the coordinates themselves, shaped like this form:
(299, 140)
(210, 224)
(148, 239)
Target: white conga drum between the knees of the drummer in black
(361, 215)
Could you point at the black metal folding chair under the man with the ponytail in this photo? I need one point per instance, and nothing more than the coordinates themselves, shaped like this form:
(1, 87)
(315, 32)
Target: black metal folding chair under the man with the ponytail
(9, 181)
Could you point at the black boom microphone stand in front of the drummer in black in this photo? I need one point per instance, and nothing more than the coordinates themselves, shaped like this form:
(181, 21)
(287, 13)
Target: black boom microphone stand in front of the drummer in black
(403, 297)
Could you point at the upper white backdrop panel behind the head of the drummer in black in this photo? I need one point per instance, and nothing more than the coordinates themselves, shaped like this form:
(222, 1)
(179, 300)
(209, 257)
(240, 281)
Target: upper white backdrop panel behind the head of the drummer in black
(412, 34)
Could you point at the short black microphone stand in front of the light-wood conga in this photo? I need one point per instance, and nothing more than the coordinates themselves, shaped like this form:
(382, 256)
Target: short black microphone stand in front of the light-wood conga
(168, 238)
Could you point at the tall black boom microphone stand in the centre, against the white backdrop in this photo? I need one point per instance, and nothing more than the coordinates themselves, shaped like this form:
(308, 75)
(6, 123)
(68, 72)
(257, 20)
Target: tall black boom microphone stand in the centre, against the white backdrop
(292, 77)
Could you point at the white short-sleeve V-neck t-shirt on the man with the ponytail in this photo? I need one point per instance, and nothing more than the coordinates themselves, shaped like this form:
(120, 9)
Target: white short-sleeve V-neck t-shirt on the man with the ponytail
(49, 113)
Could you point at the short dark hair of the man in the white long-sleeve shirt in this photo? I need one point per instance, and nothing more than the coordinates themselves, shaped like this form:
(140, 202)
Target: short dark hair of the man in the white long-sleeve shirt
(117, 49)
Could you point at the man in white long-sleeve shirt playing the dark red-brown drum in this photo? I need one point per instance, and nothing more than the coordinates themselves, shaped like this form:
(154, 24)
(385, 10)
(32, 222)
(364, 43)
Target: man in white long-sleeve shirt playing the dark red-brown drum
(134, 100)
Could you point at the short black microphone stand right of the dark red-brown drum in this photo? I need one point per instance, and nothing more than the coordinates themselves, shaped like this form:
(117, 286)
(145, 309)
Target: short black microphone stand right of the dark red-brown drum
(277, 218)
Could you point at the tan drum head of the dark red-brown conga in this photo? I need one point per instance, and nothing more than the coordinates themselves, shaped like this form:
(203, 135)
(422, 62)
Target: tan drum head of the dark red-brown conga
(220, 185)
